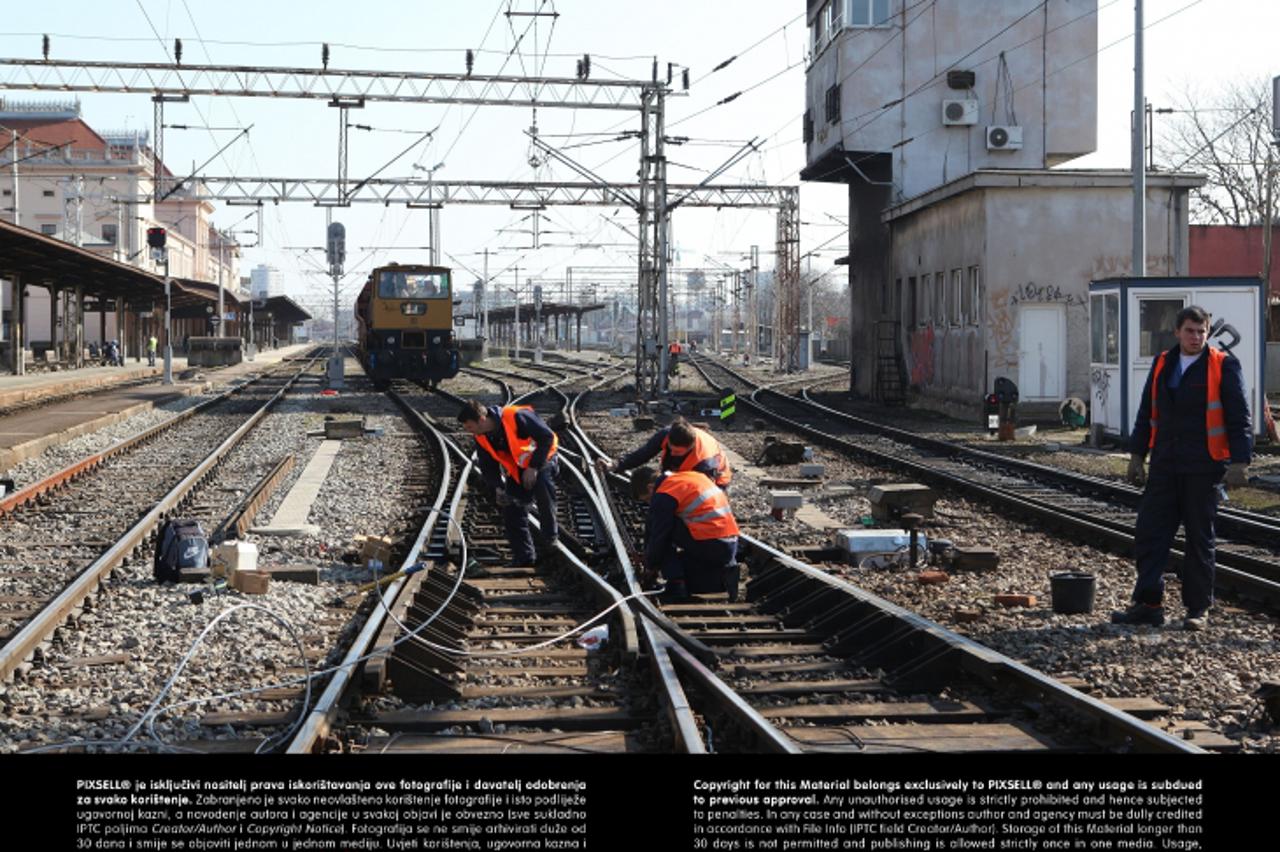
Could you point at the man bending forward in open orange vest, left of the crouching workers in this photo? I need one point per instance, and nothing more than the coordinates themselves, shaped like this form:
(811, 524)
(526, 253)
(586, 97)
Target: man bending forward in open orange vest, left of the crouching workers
(519, 464)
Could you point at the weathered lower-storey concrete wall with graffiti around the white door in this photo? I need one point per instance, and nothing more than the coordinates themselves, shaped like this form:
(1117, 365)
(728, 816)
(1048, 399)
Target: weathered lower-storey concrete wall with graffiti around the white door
(1034, 245)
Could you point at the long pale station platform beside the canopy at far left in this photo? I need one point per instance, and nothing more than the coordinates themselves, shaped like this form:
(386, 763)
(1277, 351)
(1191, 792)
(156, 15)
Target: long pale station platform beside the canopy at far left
(118, 393)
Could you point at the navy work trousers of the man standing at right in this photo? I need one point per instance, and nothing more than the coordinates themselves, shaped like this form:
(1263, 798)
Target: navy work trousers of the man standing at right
(1171, 501)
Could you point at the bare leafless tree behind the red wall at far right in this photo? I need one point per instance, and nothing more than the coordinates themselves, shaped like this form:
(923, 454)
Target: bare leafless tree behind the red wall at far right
(1227, 138)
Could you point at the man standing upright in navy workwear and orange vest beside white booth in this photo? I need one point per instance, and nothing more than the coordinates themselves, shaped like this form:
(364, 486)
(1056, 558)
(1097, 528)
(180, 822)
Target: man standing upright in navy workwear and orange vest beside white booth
(1195, 420)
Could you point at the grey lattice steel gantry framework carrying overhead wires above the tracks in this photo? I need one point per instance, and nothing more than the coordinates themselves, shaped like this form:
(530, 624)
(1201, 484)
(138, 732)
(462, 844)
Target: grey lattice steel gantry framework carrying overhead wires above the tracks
(353, 89)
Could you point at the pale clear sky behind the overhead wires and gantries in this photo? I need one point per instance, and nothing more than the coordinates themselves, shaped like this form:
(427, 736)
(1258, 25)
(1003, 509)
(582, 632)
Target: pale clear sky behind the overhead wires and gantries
(1197, 44)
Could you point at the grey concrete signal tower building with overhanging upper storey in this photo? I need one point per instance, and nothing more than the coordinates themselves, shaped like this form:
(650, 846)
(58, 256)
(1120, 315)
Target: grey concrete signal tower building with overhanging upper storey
(971, 251)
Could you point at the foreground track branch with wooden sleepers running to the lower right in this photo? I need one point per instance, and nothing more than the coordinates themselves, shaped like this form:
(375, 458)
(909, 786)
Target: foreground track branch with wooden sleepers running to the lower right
(808, 663)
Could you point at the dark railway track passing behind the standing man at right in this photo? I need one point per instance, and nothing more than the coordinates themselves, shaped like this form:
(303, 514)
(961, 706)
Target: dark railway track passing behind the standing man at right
(1081, 506)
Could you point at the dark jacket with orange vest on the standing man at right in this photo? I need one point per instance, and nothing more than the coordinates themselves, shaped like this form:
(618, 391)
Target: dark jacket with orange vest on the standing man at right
(1201, 424)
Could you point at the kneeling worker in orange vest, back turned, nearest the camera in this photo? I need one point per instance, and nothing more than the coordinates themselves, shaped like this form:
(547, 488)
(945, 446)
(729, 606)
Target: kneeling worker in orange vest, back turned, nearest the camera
(691, 534)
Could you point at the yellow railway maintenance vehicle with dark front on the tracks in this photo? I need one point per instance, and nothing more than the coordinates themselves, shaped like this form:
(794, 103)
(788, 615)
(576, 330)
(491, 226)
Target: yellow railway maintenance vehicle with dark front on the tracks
(405, 324)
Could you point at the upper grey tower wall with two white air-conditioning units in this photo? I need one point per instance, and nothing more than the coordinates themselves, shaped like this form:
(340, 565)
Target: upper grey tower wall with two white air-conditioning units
(1053, 70)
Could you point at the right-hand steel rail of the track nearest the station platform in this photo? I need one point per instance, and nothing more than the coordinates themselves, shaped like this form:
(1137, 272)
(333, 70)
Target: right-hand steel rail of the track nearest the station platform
(53, 615)
